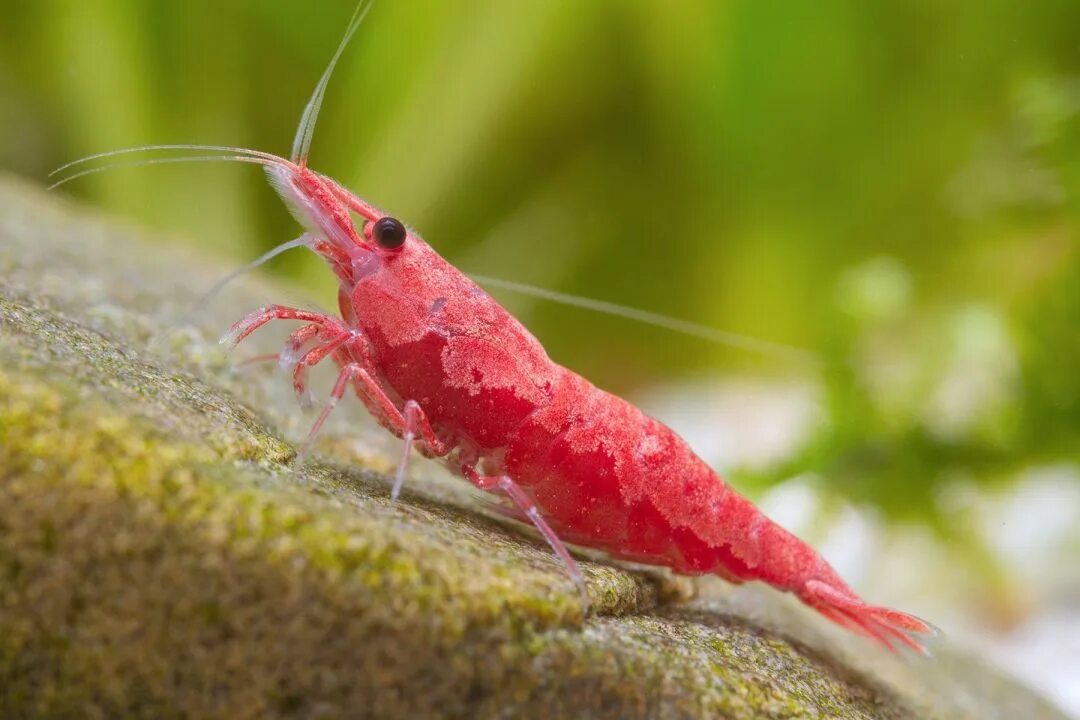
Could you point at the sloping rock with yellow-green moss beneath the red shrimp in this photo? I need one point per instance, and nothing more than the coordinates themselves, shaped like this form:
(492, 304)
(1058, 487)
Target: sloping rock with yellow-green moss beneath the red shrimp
(160, 559)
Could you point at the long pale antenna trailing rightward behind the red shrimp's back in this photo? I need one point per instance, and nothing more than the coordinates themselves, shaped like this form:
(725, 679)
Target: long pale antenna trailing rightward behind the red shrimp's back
(686, 328)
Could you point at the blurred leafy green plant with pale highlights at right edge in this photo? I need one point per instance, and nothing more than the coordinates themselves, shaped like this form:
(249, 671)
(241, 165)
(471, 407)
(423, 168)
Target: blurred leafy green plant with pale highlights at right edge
(929, 397)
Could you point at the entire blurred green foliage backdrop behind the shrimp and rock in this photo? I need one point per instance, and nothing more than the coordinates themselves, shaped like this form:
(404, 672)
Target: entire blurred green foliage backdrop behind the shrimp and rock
(893, 185)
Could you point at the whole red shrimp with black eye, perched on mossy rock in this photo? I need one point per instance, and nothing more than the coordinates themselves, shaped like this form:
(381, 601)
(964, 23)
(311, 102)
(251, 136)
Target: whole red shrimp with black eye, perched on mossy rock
(443, 366)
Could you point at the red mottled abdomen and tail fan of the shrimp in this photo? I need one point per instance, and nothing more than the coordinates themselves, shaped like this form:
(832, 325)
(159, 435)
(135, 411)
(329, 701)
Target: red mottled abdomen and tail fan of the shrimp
(609, 477)
